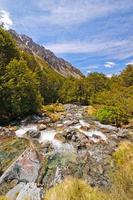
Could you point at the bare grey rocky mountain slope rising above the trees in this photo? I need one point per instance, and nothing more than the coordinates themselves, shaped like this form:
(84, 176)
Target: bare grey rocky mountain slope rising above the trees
(58, 64)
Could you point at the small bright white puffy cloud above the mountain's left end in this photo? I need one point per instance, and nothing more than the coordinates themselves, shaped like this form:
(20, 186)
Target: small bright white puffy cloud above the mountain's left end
(5, 19)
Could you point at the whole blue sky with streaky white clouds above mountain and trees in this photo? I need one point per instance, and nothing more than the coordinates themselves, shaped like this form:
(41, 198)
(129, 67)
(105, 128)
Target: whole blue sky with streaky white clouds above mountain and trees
(94, 35)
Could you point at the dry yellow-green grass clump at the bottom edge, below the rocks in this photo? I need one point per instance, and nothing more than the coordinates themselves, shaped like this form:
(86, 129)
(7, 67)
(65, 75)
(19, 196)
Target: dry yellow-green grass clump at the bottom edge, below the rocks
(74, 189)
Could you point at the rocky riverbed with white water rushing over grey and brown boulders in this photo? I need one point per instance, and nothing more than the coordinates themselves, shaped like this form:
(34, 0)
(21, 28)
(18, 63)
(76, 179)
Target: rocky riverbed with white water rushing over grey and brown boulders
(39, 153)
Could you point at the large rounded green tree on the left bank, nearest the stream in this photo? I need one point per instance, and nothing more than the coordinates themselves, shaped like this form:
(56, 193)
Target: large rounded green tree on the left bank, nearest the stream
(19, 91)
